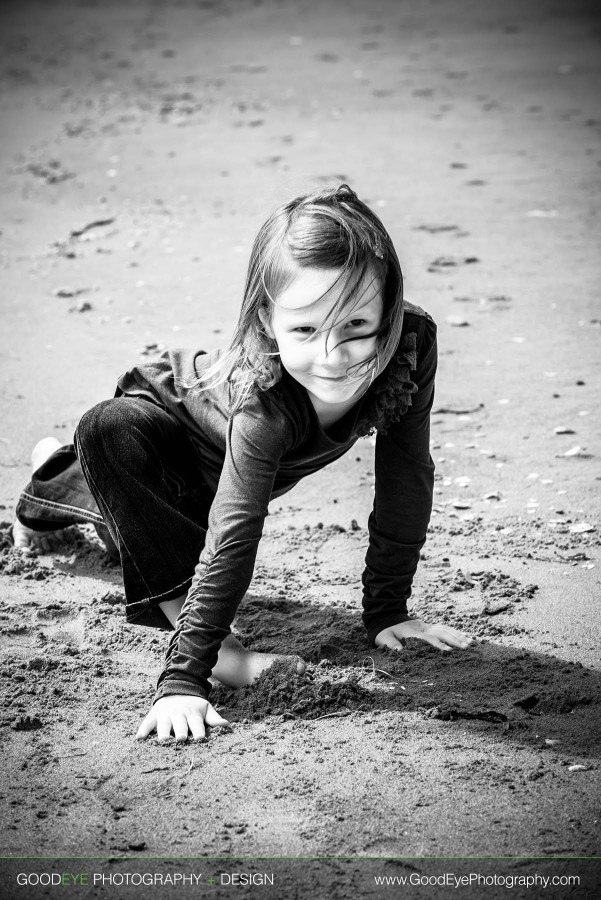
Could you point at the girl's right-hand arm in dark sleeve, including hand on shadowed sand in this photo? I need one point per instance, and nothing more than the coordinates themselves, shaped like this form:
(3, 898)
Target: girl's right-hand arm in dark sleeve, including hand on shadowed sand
(402, 506)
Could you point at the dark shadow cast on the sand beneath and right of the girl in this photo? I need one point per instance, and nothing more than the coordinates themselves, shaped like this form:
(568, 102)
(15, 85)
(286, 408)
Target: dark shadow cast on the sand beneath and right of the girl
(528, 697)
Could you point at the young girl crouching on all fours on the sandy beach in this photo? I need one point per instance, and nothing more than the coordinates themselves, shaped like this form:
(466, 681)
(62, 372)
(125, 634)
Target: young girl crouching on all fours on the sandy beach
(177, 470)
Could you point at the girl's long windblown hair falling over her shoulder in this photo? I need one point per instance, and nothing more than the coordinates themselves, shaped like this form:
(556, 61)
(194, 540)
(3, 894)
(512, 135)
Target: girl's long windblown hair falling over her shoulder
(328, 229)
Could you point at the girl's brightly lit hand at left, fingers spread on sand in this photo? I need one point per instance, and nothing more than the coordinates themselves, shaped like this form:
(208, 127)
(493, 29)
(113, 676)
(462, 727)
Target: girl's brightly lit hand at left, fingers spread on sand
(179, 713)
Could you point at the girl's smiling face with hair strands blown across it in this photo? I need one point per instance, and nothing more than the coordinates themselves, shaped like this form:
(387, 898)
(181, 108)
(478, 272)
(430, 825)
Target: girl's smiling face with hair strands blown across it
(310, 338)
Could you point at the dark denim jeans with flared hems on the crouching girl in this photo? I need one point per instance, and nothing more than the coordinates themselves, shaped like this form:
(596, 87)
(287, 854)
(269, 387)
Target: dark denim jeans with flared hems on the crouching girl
(133, 467)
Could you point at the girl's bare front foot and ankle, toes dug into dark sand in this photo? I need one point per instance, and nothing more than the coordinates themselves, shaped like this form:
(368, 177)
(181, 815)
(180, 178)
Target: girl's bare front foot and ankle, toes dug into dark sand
(236, 666)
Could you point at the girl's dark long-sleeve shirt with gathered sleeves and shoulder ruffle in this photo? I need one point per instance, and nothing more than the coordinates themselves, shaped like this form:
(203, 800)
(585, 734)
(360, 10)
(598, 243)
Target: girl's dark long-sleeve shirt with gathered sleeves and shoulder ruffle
(262, 451)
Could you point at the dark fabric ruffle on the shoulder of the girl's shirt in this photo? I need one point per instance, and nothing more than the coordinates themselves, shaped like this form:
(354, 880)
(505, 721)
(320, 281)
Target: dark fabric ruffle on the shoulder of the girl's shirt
(392, 397)
